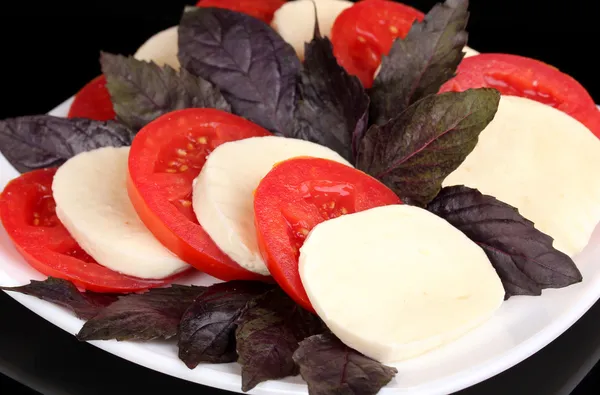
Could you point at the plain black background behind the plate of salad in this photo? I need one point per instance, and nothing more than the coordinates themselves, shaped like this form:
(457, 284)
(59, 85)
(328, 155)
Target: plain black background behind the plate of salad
(50, 49)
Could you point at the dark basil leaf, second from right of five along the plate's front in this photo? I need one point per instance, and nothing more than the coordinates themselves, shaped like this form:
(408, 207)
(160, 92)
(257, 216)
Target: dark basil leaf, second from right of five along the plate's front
(268, 333)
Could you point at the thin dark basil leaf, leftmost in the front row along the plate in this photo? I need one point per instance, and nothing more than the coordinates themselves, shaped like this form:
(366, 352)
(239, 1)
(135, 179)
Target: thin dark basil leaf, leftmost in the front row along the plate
(85, 305)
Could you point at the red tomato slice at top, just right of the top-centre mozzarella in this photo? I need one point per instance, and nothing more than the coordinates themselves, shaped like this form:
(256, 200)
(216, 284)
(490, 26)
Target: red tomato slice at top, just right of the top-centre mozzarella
(365, 32)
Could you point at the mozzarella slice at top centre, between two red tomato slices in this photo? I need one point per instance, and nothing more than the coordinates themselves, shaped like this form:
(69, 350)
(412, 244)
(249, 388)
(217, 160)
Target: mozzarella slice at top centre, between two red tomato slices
(295, 20)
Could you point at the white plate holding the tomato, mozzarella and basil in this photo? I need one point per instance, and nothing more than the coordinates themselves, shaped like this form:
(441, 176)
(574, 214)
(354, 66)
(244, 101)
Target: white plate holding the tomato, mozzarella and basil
(521, 327)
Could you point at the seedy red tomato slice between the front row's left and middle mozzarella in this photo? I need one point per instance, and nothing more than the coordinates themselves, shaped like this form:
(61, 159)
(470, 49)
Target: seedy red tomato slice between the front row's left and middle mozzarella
(164, 159)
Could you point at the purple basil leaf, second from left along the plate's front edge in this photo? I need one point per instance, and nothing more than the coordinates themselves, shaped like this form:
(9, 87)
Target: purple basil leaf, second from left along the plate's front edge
(142, 317)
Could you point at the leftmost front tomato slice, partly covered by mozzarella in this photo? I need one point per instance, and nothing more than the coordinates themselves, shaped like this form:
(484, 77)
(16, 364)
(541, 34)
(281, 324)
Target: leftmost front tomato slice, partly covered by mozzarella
(27, 211)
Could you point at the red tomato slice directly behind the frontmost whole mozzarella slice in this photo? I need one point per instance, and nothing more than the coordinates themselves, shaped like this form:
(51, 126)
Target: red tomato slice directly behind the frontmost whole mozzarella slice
(297, 195)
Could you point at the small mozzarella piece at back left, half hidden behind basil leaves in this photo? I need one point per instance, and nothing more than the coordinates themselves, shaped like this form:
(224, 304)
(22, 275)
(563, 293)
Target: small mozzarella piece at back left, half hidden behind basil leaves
(161, 49)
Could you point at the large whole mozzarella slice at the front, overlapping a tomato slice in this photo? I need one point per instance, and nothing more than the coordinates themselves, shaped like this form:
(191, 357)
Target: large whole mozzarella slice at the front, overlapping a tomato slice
(394, 282)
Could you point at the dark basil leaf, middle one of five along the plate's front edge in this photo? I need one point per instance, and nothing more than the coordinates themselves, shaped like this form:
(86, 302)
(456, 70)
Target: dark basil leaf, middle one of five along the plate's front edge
(207, 328)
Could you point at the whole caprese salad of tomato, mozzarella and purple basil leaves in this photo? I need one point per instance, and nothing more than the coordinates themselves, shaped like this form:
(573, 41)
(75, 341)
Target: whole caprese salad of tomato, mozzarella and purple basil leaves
(361, 190)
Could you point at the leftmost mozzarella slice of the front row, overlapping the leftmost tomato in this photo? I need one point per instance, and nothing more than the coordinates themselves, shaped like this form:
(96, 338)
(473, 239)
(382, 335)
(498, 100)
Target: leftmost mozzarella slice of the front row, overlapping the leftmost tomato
(92, 202)
